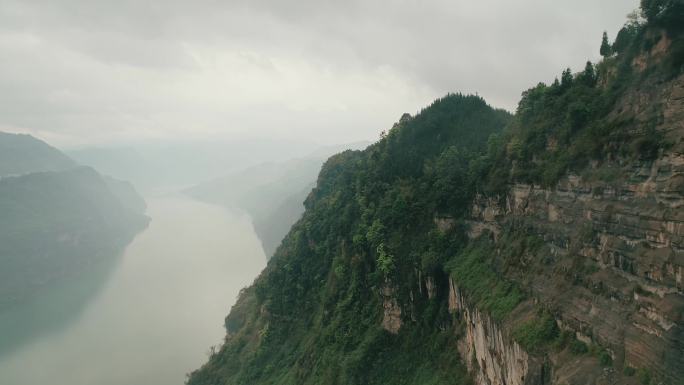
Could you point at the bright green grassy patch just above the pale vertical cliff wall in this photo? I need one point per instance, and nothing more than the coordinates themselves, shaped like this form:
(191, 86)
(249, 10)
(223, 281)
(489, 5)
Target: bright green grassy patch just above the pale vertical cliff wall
(473, 272)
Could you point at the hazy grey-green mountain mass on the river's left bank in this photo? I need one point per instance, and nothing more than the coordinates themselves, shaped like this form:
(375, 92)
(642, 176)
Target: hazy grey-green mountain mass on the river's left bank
(56, 218)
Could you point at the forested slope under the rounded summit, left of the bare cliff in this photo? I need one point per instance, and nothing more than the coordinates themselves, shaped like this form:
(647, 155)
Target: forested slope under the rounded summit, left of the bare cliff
(318, 298)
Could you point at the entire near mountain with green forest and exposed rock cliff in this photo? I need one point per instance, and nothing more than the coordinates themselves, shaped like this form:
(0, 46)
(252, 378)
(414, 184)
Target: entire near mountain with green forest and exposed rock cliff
(546, 252)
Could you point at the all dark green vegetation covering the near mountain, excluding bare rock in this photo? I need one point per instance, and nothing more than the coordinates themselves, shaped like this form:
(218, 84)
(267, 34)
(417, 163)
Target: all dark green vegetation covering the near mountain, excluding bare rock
(369, 232)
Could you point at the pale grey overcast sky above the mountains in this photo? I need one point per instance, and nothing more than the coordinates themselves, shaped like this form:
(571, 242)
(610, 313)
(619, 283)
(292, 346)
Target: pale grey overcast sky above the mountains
(78, 72)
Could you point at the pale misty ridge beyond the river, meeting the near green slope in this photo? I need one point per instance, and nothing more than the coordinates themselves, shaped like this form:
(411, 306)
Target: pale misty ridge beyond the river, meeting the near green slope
(271, 193)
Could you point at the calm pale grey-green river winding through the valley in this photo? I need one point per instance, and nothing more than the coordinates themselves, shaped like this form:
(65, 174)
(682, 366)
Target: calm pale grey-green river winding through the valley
(148, 318)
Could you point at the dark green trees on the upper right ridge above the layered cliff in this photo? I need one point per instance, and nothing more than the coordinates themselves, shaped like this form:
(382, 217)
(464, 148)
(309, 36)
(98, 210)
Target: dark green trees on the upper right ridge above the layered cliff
(561, 127)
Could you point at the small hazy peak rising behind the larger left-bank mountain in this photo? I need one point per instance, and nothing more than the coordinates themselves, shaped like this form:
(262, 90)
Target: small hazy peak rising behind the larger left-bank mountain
(21, 154)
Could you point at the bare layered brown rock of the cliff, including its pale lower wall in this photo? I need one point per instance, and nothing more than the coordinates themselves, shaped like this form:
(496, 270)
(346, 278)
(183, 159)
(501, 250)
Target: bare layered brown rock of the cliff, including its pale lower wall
(610, 269)
